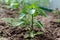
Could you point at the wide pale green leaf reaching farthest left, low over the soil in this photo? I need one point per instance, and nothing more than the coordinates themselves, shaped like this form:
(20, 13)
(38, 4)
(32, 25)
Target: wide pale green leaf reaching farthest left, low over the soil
(12, 21)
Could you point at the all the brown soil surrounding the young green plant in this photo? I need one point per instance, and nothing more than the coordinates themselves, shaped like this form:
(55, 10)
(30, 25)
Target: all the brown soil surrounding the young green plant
(51, 27)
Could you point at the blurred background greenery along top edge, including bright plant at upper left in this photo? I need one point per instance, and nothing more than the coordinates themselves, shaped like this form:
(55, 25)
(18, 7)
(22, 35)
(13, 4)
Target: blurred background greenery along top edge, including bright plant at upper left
(14, 3)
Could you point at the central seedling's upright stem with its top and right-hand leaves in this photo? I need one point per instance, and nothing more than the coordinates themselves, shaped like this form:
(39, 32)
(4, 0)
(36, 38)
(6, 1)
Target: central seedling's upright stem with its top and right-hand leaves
(31, 10)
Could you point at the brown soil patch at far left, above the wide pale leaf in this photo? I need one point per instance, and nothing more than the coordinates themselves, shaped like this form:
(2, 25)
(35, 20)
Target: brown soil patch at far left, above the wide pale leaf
(7, 13)
